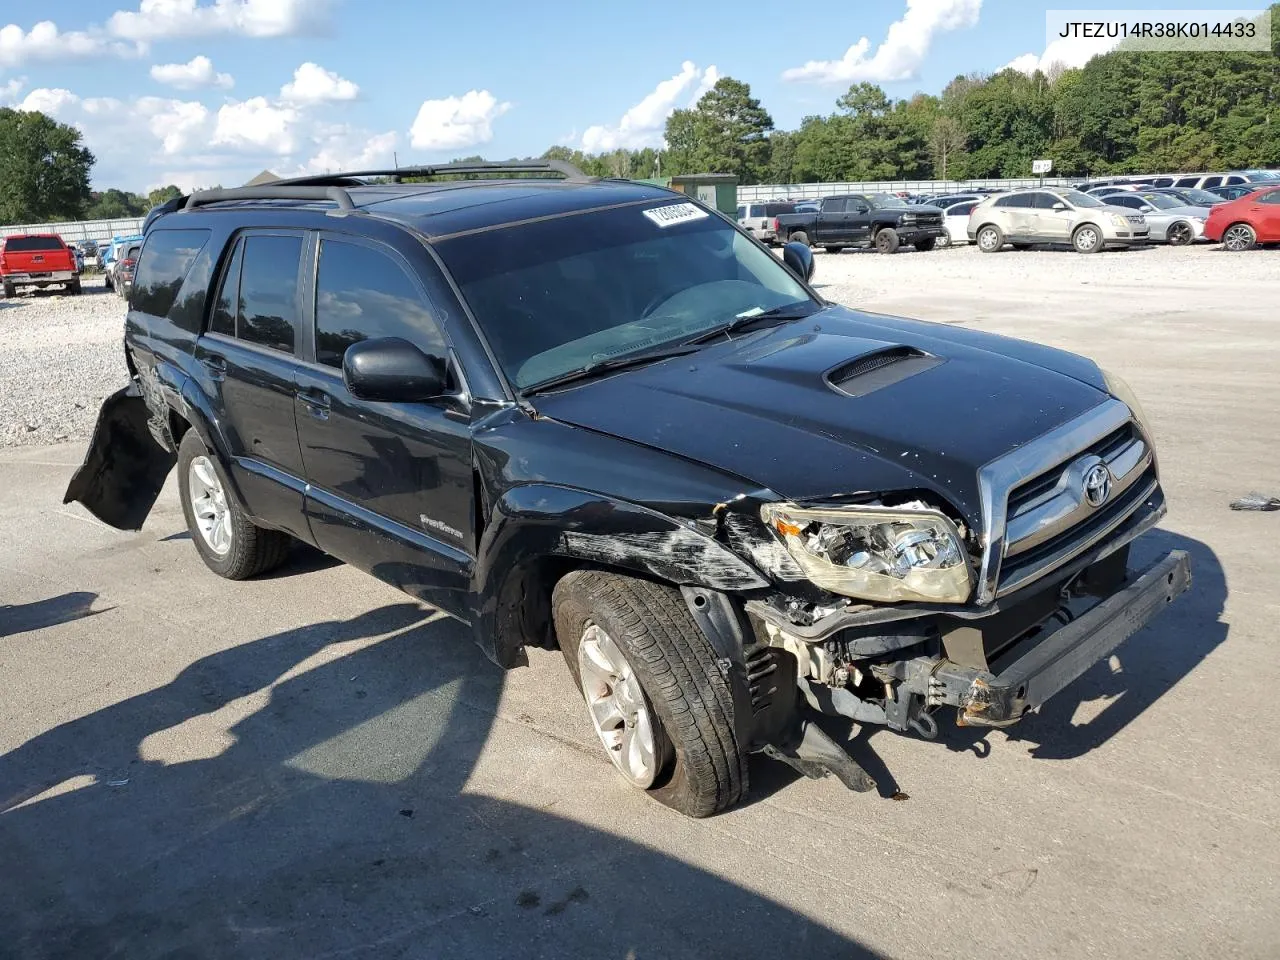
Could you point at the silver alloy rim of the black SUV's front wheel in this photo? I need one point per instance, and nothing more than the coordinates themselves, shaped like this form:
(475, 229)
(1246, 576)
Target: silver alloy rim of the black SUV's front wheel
(618, 707)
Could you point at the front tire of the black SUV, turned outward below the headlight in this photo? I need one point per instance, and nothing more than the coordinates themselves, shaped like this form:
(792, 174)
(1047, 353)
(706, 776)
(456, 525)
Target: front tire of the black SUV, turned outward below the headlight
(698, 767)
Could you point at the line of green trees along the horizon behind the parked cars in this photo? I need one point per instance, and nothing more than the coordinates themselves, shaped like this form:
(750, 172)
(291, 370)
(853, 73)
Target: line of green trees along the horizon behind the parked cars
(1126, 112)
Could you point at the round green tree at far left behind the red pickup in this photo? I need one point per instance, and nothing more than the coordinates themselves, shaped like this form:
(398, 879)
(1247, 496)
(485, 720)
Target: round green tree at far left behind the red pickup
(44, 170)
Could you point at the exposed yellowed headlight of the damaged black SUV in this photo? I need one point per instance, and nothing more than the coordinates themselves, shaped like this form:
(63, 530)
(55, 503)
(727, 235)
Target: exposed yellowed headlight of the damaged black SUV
(876, 554)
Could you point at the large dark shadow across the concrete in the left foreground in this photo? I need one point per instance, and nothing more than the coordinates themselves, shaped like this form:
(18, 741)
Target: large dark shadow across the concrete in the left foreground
(307, 796)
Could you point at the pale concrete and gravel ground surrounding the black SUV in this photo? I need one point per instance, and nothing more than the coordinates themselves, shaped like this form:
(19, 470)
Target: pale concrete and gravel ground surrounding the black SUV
(309, 765)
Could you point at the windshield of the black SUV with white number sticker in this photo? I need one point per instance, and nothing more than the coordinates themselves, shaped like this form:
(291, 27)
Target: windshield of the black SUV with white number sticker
(564, 294)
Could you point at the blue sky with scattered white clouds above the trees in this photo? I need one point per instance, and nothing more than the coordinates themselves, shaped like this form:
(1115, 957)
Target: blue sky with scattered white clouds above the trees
(202, 93)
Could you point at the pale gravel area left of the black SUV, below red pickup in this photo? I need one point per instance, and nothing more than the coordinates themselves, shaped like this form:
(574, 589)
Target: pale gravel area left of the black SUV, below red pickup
(60, 358)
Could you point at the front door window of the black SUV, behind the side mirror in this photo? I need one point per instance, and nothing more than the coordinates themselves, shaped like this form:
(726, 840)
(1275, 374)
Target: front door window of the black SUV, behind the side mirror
(363, 294)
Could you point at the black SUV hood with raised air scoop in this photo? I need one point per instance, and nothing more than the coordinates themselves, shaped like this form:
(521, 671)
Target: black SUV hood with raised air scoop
(844, 403)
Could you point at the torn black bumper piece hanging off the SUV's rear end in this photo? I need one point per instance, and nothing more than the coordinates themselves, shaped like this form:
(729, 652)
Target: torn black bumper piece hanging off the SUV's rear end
(125, 468)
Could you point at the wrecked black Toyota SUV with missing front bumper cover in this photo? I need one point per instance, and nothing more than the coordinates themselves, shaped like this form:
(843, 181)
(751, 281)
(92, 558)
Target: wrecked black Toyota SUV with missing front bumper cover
(597, 415)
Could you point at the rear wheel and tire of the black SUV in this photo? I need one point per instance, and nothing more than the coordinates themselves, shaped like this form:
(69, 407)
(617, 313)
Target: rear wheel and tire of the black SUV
(239, 550)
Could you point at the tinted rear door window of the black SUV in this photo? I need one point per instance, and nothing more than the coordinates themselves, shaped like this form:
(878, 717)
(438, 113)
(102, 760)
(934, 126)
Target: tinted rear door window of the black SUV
(269, 292)
